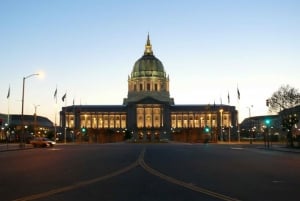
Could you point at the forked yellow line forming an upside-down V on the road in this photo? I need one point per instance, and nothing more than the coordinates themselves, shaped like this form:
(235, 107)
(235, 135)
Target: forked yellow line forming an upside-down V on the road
(140, 161)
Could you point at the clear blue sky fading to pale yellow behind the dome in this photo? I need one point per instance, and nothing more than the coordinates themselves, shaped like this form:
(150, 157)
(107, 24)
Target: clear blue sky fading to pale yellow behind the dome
(87, 49)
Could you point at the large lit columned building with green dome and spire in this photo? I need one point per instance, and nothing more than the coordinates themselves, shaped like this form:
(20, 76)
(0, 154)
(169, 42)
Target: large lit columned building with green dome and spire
(149, 113)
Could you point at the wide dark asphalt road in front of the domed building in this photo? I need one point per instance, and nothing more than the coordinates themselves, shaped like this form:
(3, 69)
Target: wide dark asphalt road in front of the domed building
(138, 172)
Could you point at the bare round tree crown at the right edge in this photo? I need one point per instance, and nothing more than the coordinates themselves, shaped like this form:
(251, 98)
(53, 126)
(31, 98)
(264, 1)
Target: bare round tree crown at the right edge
(284, 98)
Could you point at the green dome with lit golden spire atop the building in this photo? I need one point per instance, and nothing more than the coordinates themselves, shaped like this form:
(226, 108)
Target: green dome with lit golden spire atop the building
(148, 65)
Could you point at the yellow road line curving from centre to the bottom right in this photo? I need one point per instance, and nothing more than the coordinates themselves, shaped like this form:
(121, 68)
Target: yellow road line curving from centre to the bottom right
(181, 183)
